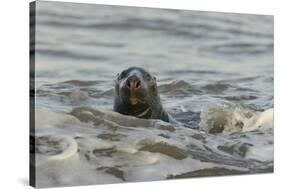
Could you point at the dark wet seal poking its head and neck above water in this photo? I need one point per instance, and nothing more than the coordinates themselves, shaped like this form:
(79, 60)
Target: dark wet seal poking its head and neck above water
(136, 94)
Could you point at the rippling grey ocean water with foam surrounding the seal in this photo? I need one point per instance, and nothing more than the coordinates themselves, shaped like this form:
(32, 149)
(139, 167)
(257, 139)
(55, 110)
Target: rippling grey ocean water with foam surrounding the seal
(214, 73)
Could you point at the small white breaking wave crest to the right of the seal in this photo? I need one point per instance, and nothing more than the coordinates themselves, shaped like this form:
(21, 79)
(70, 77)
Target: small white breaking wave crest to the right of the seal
(229, 119)
